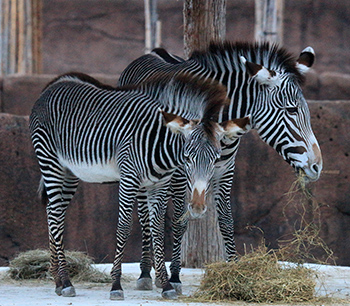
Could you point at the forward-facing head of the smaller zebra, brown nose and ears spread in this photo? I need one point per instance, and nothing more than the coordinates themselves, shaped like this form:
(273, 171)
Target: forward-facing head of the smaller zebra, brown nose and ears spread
(201, 151)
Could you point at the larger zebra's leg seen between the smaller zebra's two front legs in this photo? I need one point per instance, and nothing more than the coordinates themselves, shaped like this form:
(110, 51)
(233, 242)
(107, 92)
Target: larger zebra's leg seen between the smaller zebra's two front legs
(145, 280)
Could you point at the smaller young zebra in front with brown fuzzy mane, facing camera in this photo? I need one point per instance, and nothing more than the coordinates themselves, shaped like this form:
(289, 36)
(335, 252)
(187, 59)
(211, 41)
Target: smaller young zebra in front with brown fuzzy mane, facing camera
(137, 135)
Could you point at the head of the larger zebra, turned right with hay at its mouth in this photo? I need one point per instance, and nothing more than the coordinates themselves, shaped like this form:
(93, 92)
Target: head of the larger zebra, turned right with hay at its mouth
(281, 115)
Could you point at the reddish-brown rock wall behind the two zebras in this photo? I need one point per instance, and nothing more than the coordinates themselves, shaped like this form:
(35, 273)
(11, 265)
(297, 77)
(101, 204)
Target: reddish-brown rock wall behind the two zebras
(101, 38)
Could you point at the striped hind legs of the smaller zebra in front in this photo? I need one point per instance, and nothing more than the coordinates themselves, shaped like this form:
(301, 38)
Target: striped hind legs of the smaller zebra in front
(60, 187)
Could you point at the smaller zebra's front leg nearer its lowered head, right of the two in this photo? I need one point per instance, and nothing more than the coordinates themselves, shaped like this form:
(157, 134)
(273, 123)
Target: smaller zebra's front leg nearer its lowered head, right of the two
(158, 204)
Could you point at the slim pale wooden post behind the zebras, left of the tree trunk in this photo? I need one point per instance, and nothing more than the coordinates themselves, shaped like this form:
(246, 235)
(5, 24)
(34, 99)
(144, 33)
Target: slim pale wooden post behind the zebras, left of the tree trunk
(152, 26)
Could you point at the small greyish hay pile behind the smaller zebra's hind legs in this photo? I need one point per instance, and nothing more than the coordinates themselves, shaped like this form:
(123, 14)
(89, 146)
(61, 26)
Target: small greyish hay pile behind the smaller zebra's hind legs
(35, 265)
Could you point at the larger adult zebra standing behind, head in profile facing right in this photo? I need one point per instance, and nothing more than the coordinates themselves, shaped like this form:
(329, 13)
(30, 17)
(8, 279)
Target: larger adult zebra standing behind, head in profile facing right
(263, 81)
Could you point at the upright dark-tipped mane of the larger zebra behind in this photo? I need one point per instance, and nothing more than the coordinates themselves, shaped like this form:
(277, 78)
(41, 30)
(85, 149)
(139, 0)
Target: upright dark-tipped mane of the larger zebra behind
(271, 56)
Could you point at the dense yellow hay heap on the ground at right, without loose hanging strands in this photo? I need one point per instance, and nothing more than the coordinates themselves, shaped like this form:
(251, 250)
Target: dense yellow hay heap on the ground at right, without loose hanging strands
(257, 277)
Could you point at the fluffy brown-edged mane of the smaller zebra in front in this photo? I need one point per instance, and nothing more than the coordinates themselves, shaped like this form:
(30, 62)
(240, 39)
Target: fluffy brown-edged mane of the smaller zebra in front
(188, 96)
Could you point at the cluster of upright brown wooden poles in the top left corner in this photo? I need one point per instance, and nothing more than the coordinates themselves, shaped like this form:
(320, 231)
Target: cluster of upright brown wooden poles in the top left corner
(20, 41)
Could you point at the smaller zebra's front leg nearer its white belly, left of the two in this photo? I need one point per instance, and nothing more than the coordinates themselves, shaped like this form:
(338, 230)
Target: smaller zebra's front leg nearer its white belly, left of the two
(127, 194)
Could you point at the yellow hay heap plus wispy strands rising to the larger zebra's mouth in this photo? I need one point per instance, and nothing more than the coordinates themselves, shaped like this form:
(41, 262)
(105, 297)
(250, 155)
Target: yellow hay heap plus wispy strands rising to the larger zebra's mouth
(259, 277)
